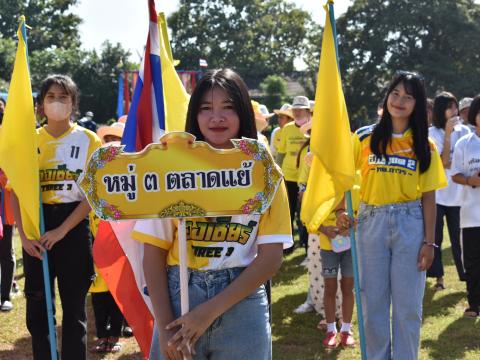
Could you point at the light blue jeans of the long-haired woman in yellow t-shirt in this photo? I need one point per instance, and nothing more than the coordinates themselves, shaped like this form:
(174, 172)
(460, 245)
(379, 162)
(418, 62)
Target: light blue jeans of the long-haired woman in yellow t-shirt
(389, 241)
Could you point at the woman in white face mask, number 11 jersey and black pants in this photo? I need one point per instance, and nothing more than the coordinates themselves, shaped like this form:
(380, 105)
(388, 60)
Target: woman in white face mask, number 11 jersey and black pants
(64, 149)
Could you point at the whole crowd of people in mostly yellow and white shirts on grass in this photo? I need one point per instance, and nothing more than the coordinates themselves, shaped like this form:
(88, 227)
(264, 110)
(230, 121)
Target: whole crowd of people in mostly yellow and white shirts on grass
(418, 164)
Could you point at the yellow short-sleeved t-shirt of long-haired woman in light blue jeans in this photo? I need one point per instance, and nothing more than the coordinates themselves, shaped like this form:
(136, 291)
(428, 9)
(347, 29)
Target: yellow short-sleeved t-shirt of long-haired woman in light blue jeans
(398, 178)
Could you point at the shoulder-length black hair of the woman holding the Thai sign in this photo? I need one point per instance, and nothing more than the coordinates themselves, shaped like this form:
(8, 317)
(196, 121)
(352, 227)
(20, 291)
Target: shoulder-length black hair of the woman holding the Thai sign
(229, 81)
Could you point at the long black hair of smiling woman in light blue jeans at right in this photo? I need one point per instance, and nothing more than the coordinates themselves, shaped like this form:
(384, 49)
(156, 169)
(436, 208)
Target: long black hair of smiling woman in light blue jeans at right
(382, 133)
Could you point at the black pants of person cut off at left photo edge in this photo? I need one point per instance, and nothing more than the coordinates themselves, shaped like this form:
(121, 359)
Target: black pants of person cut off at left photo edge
(7, 262)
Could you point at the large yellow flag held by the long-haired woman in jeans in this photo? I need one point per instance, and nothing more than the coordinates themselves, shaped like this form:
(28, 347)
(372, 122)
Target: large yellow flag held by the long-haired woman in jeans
(333, 170)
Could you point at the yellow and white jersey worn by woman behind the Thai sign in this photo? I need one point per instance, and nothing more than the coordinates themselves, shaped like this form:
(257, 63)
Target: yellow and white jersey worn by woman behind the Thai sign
(221, 242)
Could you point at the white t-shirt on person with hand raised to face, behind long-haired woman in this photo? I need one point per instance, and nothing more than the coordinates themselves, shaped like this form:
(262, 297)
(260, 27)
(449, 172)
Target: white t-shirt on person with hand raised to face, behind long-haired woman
(451, 195)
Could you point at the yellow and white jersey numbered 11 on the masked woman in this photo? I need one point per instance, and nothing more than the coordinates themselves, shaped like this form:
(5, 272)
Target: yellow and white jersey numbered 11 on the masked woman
(62, 160)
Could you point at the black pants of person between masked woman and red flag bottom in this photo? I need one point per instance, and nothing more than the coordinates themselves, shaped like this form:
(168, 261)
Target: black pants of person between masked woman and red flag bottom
(108, 318)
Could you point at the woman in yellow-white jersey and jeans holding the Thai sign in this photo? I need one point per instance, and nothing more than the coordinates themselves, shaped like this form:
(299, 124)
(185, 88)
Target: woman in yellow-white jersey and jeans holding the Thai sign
(229, 311)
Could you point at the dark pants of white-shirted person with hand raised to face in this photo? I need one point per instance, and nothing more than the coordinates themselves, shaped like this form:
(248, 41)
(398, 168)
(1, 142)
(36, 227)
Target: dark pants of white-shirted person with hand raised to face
(452, 214)
